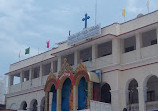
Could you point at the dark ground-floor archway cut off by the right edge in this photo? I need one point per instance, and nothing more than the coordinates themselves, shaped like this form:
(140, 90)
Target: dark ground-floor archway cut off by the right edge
(152, 89)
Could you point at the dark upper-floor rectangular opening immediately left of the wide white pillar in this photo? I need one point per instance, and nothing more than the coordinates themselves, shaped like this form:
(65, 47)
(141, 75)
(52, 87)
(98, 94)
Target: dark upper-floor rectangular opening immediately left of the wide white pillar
(105, 49)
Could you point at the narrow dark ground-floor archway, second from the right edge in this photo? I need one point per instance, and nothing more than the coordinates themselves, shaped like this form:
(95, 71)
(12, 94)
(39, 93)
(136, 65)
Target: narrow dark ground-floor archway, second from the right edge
(133, 92)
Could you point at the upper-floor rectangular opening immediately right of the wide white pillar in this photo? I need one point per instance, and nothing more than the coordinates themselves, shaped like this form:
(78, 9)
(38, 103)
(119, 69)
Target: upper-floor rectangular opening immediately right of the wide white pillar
(129, 44)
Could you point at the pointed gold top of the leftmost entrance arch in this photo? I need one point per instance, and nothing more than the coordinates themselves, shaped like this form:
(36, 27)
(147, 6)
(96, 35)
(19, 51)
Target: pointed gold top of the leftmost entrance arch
(50, 81)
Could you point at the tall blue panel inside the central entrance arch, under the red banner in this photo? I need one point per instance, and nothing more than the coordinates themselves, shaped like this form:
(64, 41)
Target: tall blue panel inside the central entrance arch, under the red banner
(65, 95)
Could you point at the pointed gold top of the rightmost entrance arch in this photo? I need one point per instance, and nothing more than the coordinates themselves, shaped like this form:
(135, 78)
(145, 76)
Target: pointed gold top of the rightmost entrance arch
(81, 71)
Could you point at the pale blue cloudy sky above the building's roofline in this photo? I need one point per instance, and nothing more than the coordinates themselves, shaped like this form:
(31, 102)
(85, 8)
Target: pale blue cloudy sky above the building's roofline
(30, 23)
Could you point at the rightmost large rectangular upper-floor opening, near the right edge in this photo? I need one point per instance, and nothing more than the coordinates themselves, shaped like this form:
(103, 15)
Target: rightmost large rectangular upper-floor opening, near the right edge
(149, 38)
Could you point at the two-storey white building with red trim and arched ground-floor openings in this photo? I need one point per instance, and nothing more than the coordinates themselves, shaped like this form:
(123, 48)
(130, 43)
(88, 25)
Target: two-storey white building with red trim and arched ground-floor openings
(126, 54)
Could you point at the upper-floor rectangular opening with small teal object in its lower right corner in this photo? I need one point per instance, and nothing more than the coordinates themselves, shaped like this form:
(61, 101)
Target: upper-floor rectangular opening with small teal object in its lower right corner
(86, 54)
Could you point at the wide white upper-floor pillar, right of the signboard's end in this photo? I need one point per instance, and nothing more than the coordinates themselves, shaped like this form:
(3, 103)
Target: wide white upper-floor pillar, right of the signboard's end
(116, 50)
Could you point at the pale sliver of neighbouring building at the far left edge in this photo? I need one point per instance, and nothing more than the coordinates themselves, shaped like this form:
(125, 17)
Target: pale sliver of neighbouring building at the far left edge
(2, 89)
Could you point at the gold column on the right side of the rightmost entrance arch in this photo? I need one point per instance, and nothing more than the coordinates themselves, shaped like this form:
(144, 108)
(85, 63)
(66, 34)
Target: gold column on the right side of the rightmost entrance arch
(90, 93)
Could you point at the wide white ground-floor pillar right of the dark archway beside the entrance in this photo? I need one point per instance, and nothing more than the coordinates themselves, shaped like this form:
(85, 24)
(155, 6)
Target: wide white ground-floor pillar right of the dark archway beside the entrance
(115, 100)
